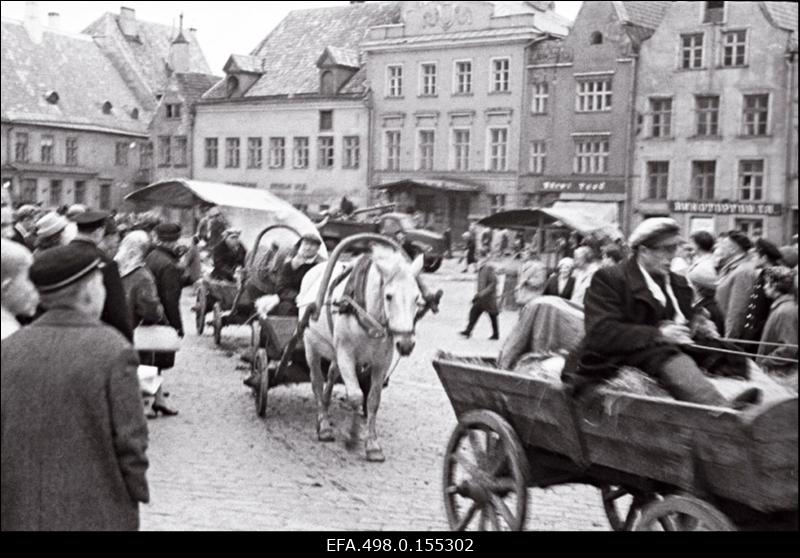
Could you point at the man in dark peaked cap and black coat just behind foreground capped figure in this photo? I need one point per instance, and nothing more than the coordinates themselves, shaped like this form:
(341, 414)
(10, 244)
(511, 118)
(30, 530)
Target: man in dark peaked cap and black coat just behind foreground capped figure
(91, 231)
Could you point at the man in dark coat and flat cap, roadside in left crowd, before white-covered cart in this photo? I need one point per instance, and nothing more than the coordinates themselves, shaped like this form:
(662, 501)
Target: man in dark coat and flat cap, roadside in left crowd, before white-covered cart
(163, 262)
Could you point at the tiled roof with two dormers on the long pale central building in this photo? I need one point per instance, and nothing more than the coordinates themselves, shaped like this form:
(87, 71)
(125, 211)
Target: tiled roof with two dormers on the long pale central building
(291, 51)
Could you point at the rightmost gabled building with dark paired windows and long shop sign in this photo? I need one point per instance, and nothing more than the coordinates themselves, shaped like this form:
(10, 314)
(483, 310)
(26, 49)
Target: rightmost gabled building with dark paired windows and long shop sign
(717, 137)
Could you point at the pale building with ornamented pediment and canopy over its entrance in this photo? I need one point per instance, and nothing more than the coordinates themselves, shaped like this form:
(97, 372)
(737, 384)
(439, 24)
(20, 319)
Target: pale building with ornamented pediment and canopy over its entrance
(447, 87)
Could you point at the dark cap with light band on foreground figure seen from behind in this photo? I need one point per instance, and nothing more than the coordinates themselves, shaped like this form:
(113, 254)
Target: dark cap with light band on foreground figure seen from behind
(60, 267)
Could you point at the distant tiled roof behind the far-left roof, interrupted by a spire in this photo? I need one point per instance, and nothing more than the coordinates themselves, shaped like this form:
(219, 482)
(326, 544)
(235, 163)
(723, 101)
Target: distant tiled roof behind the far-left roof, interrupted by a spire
(150, 52)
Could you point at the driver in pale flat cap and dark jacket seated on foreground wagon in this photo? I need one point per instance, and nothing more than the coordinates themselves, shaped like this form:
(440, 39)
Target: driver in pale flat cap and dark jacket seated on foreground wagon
(638, 314)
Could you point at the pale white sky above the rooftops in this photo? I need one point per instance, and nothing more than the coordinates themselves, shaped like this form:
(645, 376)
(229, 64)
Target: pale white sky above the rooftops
(223, 28)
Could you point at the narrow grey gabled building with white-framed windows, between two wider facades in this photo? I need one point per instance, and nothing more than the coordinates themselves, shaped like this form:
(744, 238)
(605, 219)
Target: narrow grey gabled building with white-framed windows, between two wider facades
(577, 134)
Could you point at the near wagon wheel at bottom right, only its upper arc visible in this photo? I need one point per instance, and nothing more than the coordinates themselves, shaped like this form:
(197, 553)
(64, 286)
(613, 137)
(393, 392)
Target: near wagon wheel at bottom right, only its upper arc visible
(682, 513)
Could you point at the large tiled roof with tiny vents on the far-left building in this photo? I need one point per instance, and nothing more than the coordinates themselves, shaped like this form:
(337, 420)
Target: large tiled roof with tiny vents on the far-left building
(73, 67)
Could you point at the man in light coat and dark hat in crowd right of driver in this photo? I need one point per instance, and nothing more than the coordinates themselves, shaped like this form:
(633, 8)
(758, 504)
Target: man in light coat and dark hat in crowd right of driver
(737, 277)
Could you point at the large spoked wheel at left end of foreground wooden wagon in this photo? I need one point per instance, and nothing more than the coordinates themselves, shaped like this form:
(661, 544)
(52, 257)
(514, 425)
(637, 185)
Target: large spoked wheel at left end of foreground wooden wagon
(485, 475)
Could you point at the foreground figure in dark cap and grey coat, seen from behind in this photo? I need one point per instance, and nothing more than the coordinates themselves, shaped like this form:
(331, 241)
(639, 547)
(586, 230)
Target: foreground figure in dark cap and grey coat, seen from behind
(74, 433)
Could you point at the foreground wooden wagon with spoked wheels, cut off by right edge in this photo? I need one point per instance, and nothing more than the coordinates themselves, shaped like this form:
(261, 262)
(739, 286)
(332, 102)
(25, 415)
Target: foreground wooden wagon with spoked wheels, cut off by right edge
(676, 465)
